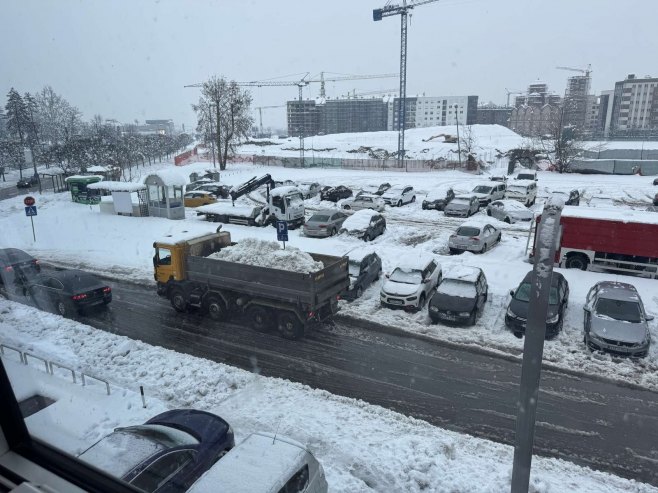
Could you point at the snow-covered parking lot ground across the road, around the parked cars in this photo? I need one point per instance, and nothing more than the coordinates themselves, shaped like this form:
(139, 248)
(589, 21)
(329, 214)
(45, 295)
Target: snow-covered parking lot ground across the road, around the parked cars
(121, 247)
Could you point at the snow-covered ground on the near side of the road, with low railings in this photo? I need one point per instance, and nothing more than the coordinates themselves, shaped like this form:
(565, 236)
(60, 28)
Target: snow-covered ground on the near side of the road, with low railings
(362, 447)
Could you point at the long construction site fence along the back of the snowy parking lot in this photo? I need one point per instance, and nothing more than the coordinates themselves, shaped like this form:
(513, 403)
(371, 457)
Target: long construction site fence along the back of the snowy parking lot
(355, 164)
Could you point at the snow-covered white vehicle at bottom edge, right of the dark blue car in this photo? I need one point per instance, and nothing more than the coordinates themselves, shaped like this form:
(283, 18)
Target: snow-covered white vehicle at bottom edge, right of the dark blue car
(264, 463)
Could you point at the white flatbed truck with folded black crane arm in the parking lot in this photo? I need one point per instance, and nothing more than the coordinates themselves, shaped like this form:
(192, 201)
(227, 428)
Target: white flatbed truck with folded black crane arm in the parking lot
(281, 204)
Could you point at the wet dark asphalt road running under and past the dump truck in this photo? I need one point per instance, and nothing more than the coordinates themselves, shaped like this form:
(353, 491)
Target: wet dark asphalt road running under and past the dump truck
(592, 423)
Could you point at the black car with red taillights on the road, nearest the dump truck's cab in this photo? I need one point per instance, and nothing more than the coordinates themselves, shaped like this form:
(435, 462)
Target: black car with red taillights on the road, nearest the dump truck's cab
(68, 292)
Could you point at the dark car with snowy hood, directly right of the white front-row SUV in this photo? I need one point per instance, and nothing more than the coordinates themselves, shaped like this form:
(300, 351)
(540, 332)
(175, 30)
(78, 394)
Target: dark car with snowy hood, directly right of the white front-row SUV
(460, 297)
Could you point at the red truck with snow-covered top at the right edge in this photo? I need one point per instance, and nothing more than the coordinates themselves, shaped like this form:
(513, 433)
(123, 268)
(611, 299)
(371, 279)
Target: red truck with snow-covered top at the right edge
(625, 241)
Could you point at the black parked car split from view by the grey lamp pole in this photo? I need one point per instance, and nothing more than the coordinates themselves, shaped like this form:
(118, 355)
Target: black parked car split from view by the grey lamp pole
(516, 316)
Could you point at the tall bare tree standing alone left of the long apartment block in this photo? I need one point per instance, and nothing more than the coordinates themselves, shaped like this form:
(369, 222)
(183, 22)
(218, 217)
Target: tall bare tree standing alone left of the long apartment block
(223, 110)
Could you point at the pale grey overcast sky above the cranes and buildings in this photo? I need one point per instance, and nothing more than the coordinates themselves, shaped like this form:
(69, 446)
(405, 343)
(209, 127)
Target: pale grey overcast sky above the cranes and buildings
(129, 59)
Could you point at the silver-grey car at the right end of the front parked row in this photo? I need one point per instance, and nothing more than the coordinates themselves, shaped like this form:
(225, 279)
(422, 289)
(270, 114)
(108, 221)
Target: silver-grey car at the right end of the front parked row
(615, 320)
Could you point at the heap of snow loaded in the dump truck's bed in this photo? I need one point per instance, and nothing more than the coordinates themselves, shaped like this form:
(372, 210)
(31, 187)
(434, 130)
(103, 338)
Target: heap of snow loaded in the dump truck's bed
(269, 254)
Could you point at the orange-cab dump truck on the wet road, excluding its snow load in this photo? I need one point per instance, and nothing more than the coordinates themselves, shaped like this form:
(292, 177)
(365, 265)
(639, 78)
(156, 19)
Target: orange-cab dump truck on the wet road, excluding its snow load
(270, 298)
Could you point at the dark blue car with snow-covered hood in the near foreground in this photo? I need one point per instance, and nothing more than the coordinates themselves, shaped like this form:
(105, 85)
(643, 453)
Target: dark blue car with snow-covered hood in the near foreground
(168, 453)
